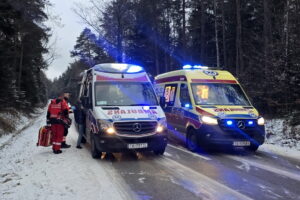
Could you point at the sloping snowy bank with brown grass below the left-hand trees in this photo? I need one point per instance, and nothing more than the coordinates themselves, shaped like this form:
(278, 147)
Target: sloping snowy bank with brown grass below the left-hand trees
(18, 122)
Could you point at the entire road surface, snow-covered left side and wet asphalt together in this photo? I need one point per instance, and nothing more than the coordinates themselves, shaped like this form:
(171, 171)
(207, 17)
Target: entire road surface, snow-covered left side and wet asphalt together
(30, 172)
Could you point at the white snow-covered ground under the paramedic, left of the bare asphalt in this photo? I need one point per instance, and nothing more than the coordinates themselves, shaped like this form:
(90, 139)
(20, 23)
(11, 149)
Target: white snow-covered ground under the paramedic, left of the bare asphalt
(31, 172)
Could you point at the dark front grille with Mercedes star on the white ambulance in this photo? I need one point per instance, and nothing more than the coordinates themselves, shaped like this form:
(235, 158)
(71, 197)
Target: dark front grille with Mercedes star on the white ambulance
(135, 128)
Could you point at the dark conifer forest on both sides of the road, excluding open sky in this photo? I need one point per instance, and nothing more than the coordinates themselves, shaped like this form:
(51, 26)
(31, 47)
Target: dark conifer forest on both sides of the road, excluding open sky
(256, 40)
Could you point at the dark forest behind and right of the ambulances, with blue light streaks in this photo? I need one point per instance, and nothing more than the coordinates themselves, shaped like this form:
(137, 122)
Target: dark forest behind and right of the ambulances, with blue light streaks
(256, 40)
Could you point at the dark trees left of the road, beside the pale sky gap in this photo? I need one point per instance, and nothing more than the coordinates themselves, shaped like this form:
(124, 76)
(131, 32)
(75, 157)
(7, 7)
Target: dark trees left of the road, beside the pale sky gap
(23, 39)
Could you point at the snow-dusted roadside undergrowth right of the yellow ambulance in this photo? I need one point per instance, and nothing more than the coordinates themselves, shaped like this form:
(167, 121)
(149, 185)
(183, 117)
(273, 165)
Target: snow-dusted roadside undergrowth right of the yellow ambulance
(280, 133)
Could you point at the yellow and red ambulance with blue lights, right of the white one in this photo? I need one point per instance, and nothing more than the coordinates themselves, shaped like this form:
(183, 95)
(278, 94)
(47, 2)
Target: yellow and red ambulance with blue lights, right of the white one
(207, 108)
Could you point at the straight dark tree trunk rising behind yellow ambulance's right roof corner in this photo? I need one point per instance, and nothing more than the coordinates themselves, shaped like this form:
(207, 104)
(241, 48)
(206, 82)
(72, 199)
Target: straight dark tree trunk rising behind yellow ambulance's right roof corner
(239, 51)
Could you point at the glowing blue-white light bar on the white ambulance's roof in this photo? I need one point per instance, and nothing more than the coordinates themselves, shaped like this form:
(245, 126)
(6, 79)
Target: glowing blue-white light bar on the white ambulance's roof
(118, 68)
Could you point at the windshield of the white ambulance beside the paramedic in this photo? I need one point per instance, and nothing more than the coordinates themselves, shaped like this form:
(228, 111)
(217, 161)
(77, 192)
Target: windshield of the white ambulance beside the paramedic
(124, 94)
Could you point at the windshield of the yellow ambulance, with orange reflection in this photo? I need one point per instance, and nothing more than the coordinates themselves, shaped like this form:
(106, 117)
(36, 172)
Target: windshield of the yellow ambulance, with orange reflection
(219, 94)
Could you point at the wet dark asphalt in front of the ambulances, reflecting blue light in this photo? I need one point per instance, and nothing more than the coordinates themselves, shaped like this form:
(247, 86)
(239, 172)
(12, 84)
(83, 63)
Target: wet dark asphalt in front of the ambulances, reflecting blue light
(180, 174)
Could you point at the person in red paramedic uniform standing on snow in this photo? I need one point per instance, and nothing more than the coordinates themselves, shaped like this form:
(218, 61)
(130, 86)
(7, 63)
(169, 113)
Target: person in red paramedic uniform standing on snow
(57, 111)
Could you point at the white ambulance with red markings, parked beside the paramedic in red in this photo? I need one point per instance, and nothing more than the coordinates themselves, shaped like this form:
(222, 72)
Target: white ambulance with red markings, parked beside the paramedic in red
(122, 111)
